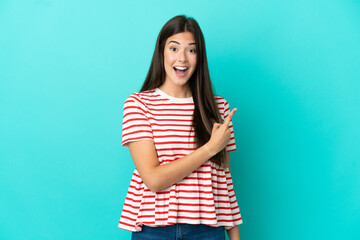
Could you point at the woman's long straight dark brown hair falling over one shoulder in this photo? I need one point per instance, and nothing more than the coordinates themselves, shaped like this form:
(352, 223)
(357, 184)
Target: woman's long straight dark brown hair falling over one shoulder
(206, 111)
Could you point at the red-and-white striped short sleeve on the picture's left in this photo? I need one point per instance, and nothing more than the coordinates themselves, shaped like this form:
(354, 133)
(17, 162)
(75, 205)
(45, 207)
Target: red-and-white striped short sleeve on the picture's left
(136, 125)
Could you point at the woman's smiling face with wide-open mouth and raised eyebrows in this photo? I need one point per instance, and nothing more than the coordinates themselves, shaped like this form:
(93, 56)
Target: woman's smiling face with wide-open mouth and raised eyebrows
(179, 58)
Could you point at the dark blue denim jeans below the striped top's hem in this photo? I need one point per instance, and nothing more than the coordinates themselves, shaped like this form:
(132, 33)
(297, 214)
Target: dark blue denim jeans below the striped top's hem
(180, 232)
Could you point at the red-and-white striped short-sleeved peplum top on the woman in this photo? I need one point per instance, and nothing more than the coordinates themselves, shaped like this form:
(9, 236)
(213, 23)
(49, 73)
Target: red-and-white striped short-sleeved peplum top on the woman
(206, 196)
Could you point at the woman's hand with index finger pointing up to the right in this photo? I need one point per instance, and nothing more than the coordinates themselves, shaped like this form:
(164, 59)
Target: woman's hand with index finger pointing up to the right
(220, 135)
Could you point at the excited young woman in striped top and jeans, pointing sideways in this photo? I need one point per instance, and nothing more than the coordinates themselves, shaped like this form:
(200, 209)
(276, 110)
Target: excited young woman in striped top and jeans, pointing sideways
(179, 135)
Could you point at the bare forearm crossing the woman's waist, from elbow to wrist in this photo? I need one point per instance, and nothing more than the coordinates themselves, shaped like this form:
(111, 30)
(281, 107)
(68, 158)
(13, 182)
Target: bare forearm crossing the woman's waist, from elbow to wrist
(168, 174)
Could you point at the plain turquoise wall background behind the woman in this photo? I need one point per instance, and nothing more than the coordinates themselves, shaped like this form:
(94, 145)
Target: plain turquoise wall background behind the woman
(290, 67)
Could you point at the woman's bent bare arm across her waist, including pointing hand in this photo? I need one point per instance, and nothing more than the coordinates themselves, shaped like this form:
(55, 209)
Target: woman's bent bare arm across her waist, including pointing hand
(158, 177)
